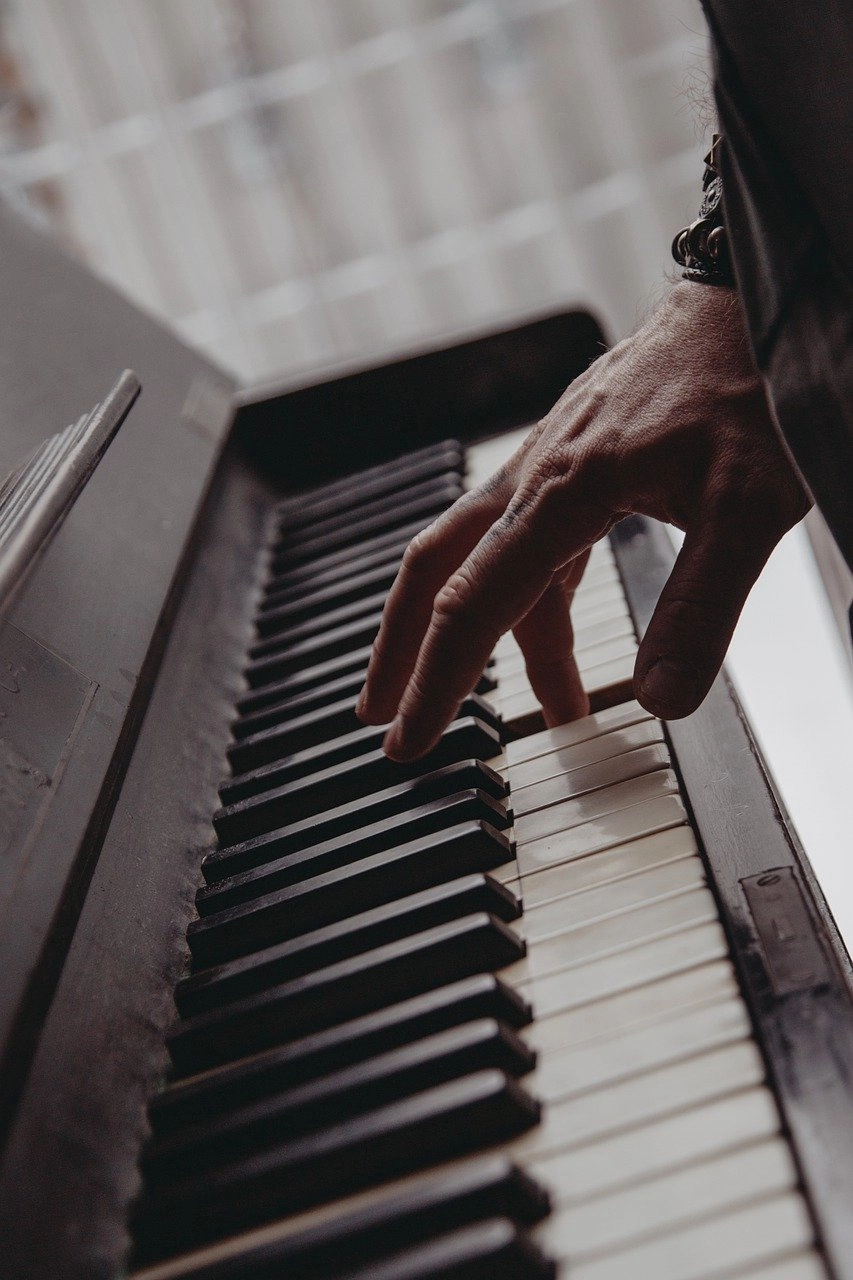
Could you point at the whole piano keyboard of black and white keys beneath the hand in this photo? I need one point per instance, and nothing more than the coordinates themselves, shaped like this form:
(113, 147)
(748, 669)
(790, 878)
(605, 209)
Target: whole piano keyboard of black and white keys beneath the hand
(469, 1018)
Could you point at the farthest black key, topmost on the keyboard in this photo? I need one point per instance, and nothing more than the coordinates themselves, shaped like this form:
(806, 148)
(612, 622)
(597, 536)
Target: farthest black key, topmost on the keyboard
(446, 459)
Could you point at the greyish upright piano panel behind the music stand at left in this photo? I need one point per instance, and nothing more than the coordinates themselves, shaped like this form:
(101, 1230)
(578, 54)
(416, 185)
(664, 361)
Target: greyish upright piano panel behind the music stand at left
(86, 636)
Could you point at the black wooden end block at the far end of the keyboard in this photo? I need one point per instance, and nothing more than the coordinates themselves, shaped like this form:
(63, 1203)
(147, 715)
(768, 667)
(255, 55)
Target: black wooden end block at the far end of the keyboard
(472, 388)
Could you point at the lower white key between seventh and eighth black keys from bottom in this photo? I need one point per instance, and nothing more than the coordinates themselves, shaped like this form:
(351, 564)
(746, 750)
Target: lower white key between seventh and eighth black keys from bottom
(614, 865)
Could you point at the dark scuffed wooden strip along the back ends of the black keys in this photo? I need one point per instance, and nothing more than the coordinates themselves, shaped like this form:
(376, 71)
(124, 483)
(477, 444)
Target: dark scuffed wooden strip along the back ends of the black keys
(71, 1164)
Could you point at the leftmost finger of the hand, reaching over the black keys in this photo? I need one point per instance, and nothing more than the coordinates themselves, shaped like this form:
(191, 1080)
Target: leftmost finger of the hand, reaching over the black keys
(428, 563)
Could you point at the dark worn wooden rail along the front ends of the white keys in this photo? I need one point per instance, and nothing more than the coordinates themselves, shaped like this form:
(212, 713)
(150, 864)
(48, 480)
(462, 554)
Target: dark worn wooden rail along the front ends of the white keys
(805, 1026)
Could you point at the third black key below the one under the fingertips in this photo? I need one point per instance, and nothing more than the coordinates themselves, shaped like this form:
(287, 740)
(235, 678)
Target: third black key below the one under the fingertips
(361, 886)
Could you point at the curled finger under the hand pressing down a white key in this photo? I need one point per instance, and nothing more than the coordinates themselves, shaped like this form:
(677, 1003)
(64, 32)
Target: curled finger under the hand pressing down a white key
(546, 638)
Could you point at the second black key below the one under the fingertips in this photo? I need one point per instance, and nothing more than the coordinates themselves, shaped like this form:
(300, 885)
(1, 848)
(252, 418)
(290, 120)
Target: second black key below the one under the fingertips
(329, 856)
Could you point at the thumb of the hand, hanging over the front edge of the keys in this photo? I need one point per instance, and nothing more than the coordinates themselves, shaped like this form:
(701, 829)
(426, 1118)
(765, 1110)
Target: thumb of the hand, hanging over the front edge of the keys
(696, 615)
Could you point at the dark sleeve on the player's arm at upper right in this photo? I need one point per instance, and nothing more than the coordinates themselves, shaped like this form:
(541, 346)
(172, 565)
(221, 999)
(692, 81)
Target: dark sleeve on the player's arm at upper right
(784, 97)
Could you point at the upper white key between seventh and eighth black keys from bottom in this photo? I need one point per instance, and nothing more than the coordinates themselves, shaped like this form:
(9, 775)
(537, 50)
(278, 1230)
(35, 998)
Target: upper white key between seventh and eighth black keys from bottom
(605, 833)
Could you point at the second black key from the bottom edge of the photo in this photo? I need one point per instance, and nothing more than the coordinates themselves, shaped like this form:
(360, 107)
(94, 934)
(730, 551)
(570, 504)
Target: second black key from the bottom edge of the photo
(473, 1191)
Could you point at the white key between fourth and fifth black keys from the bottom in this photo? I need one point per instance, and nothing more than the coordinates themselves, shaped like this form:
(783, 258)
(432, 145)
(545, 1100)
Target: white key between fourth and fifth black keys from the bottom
(636, 1008)
